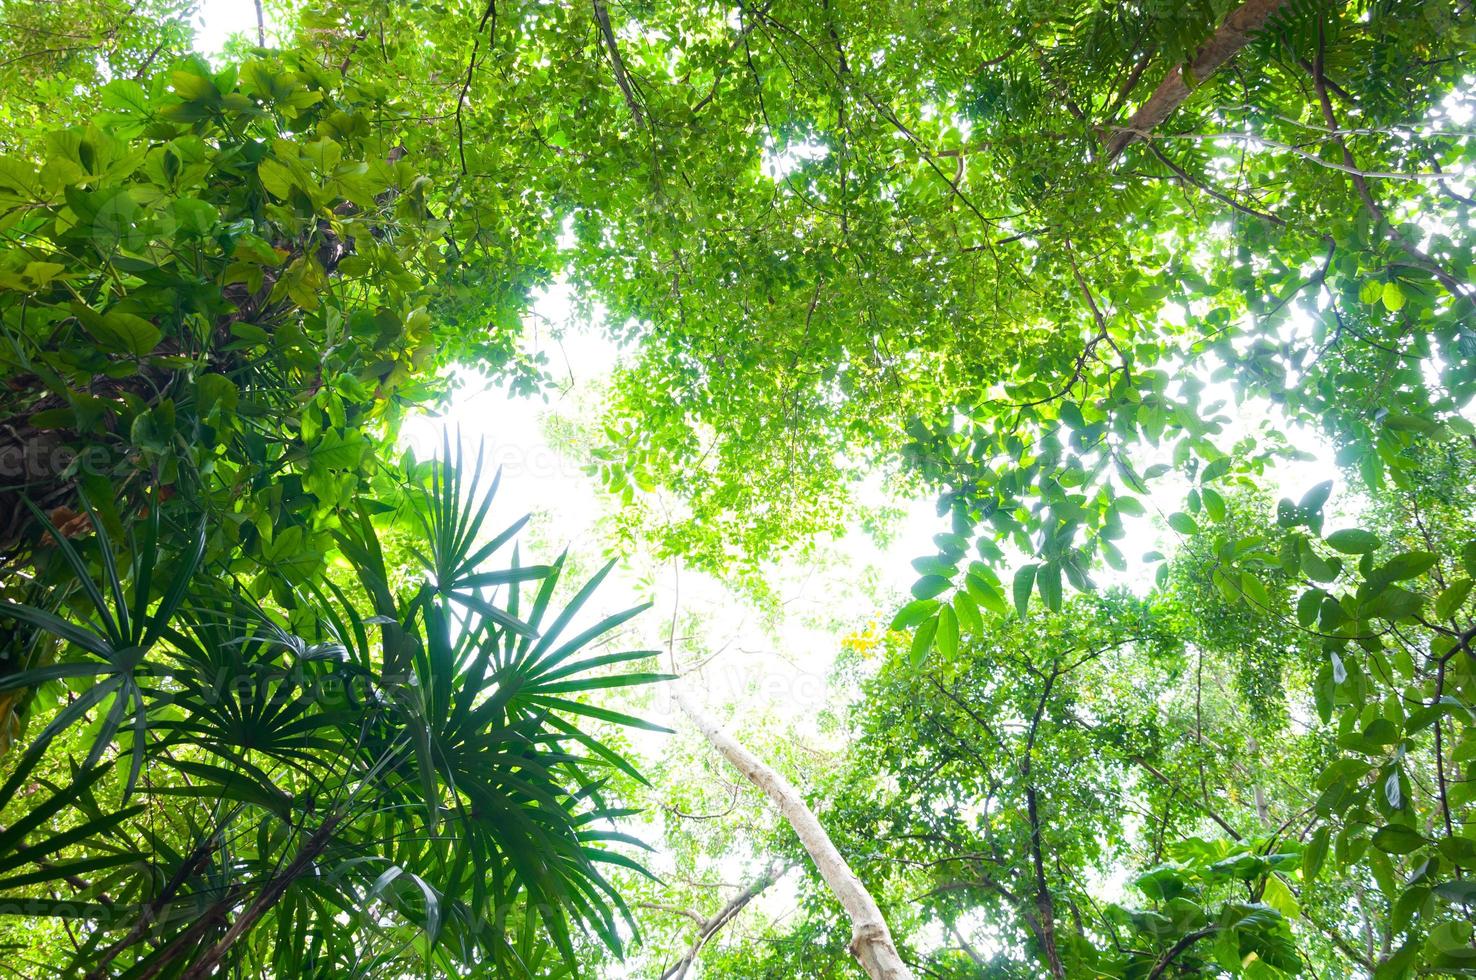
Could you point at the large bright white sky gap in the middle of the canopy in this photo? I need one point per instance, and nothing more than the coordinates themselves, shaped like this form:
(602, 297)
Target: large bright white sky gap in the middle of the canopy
(767, 666)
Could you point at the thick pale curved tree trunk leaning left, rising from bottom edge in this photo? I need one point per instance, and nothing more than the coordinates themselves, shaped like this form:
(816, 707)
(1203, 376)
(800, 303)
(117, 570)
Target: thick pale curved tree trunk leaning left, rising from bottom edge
(870, 938)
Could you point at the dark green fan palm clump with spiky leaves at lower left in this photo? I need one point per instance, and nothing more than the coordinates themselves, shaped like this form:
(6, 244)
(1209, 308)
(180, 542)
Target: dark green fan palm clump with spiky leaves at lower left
(325, 805)
